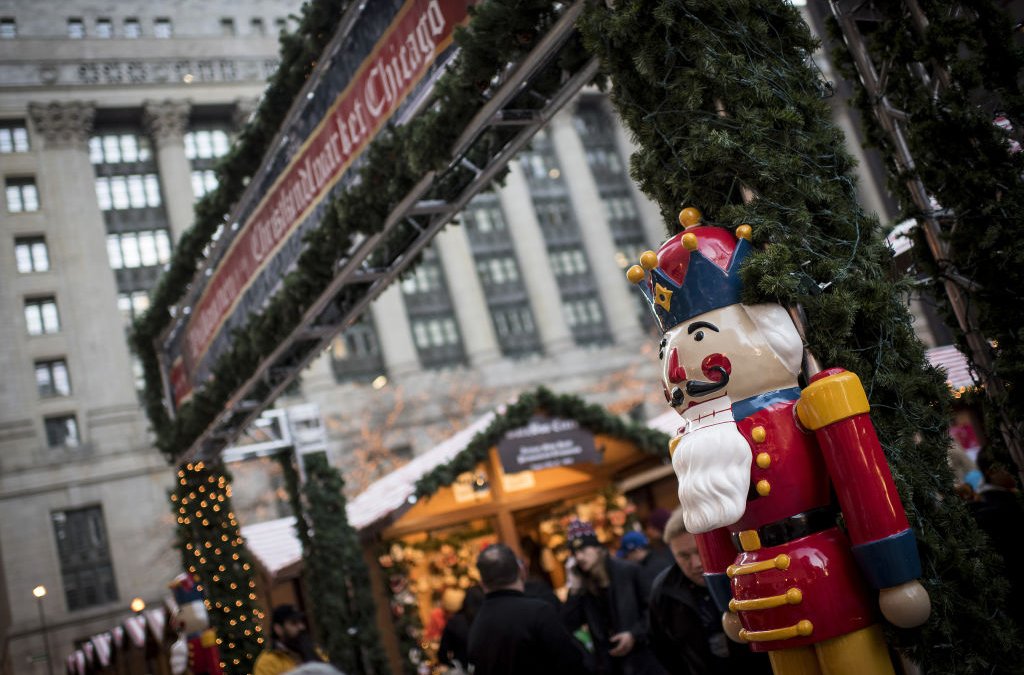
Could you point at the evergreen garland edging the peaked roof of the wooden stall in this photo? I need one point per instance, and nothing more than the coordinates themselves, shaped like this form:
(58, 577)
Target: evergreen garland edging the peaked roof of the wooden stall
(518, 415)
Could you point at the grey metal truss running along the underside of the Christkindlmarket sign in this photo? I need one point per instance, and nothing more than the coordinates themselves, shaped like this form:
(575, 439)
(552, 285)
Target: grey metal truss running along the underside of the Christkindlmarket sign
(375, 262)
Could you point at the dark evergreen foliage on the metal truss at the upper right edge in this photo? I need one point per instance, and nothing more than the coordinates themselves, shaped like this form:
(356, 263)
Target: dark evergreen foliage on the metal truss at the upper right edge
(965, 160)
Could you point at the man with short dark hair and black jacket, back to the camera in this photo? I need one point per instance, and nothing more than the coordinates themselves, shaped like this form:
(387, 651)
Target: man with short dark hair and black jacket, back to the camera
(515, 635)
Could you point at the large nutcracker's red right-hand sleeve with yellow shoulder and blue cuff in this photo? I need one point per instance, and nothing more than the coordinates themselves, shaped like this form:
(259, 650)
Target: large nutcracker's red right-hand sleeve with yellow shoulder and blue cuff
(836, 409)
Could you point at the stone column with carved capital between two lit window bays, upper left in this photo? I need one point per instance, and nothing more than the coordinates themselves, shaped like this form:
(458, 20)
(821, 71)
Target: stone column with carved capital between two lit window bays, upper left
(167, 122)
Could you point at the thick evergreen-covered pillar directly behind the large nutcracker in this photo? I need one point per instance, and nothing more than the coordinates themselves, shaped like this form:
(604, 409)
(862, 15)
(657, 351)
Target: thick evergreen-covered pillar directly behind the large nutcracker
(676, 67)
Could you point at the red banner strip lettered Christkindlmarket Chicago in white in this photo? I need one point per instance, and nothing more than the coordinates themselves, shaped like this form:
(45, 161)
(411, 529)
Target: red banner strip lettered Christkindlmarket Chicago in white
(404, 55)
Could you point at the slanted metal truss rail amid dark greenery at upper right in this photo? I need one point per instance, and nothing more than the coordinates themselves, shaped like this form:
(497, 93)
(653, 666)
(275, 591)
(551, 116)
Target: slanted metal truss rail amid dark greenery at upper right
(889, 119)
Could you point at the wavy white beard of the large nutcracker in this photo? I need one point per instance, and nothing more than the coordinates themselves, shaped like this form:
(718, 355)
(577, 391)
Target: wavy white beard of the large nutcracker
(713, 465)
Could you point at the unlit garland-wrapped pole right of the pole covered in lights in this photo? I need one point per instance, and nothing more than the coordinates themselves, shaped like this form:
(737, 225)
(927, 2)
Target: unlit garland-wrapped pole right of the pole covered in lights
(337, 574)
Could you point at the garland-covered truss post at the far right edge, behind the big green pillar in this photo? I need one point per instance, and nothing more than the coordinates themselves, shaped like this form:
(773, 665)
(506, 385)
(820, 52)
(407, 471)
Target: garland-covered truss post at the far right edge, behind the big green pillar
(956, 143)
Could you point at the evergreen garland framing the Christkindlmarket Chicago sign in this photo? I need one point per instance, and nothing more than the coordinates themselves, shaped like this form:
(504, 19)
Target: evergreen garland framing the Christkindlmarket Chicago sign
(499, 32)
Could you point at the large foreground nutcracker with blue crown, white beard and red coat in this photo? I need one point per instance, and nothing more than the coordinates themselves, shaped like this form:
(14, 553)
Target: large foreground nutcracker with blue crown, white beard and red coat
(759, 461)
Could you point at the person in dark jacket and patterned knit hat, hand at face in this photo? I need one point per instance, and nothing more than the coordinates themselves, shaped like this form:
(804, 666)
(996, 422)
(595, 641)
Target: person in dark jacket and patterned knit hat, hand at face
(611, 598)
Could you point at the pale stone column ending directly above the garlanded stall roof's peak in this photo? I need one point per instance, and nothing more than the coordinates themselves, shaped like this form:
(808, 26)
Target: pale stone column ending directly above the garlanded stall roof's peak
(532, 252)
